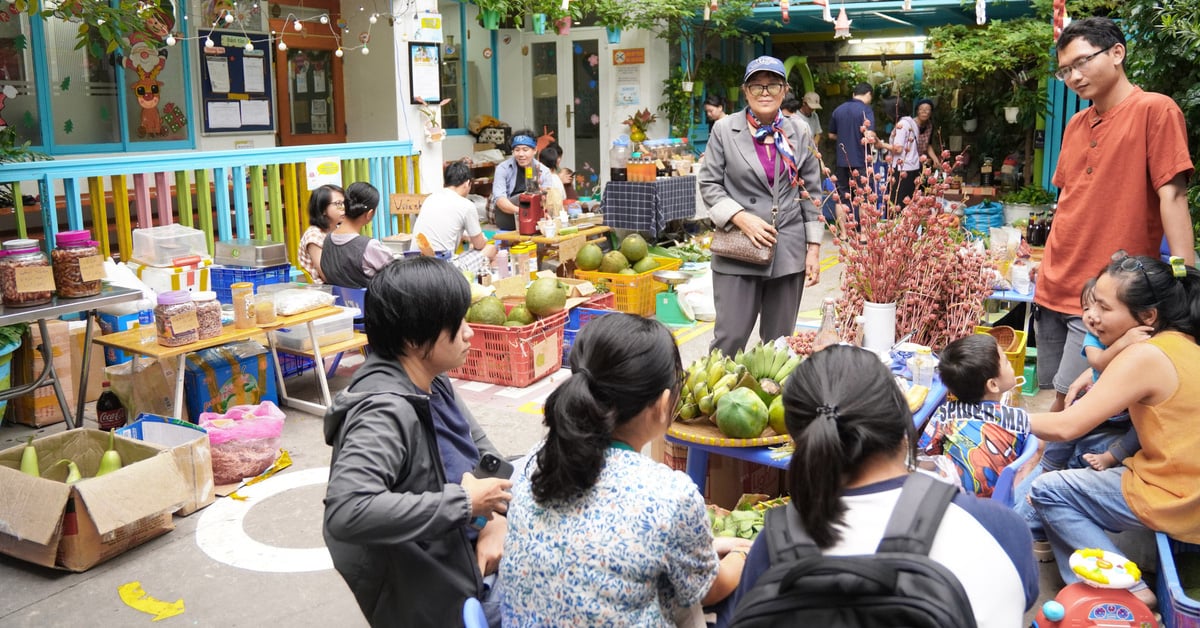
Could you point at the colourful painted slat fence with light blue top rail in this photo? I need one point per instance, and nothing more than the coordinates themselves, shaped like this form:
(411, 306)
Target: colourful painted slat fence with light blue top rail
(233, 194)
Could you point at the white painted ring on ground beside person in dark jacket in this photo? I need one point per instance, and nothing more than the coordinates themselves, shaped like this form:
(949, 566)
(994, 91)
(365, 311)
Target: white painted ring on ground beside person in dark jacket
(221, 535)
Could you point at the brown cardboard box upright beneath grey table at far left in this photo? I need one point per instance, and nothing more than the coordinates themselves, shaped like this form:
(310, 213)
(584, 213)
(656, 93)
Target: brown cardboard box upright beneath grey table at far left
(41, 408)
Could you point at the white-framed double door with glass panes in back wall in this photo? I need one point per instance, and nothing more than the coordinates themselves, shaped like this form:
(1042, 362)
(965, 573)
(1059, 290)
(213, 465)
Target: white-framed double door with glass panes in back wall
(567, 100)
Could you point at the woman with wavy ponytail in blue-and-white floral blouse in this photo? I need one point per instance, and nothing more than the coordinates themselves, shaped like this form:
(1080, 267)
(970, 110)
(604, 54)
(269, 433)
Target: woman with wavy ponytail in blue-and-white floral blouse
(598, 534)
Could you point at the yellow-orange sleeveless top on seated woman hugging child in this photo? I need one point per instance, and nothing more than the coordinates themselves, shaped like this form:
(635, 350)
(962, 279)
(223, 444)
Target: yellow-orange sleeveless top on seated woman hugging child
(1163, 483)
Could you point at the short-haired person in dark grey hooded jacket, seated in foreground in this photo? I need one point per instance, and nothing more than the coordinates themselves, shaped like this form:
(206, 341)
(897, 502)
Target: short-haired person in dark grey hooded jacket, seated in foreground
(405, 517)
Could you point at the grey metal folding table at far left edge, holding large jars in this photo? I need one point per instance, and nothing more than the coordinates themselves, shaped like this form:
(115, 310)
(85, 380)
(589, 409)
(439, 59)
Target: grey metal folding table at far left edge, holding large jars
(62, 307)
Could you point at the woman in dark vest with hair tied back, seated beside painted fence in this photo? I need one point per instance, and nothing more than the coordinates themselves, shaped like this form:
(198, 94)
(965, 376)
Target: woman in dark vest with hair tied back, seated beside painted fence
(350, 259)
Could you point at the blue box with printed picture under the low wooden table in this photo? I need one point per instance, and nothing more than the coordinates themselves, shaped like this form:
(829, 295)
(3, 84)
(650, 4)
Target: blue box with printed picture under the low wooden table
(231, 375)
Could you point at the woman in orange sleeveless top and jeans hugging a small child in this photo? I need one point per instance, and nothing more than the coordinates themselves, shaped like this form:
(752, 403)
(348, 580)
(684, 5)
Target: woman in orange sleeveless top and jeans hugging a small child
(1157, 488)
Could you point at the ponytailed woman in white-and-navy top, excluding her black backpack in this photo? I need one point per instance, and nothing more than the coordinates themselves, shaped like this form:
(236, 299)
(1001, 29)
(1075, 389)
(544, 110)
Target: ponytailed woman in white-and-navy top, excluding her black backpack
(854, 450)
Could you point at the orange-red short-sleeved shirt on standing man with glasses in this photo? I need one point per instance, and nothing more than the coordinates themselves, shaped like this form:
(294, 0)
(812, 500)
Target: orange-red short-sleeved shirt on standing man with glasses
(1109, 172)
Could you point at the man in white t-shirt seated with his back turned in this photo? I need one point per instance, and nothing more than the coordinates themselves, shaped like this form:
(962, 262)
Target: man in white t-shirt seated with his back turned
(447, 218)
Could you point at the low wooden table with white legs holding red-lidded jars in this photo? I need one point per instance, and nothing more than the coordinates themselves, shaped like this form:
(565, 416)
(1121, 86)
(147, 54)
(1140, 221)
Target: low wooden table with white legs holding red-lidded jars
(131, 343)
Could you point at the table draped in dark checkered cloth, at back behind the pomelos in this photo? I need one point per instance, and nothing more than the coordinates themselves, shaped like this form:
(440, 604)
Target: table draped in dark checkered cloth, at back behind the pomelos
(649, 207)
